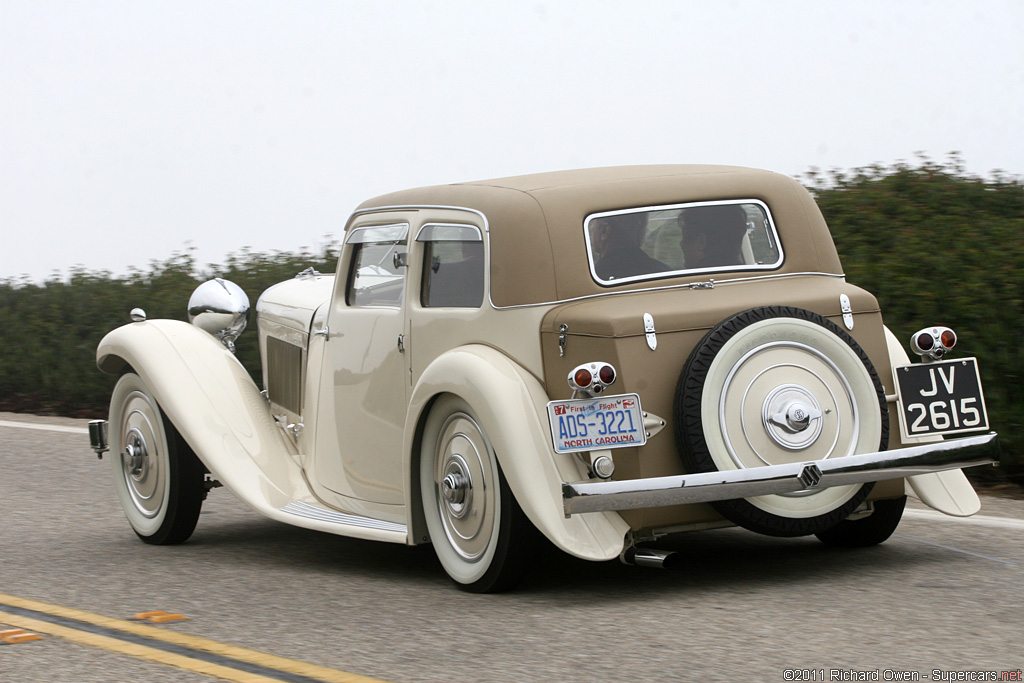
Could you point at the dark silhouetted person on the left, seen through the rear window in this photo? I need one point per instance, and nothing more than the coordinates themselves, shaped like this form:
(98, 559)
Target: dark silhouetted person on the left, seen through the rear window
(616, 243)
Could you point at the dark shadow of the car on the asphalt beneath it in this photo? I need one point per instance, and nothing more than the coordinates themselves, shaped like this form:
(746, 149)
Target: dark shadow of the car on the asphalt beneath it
(711, 561)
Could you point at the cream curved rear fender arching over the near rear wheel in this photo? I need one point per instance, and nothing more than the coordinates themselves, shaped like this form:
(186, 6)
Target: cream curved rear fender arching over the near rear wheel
(511, 407)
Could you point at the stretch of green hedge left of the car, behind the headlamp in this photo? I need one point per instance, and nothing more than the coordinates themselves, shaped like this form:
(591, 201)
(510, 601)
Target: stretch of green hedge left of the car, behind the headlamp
(50, 332)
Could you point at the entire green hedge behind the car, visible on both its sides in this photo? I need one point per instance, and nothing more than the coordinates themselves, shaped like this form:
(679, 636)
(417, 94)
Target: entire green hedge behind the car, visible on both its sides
(935, 245)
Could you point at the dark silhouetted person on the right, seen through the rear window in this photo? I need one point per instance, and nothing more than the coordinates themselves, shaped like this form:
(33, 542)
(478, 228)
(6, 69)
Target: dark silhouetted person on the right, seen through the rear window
(713, 236)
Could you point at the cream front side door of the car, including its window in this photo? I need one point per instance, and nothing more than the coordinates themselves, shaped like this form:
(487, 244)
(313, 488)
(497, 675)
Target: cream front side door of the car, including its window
(365, 387)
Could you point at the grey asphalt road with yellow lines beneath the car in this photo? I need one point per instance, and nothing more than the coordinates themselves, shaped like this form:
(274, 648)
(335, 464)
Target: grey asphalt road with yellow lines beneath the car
(942, 596)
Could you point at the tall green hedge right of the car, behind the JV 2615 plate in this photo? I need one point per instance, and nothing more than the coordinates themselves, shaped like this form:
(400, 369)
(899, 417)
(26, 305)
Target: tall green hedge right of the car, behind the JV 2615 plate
(940, 247)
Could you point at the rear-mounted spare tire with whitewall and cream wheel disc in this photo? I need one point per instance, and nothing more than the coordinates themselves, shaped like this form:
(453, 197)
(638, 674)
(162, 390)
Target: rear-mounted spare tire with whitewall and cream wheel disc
(775, 386)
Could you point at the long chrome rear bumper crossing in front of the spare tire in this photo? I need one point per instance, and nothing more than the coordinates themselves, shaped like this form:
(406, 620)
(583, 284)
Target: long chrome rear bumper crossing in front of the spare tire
(705, 488)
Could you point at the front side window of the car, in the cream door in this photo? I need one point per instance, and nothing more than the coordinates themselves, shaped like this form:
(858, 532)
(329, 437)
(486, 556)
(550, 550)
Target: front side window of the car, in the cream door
(377, 276)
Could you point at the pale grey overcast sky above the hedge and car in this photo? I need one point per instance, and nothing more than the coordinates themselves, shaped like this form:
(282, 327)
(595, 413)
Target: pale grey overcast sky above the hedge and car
(131, 131)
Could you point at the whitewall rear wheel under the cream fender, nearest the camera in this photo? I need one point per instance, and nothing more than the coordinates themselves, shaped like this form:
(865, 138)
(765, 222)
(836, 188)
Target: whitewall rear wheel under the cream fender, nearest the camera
(480, 534)
